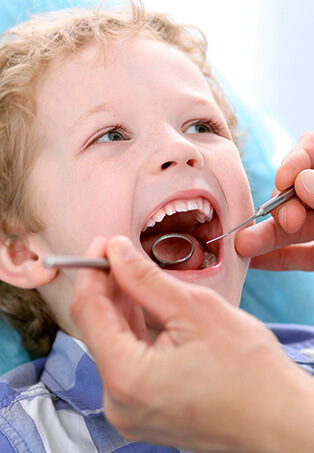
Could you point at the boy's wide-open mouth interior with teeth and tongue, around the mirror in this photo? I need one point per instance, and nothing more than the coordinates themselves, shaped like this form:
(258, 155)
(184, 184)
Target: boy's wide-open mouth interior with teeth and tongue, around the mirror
(195, 218)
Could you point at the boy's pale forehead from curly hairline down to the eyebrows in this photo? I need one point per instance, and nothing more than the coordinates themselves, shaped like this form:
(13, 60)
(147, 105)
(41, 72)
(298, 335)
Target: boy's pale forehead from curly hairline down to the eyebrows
(91, 77)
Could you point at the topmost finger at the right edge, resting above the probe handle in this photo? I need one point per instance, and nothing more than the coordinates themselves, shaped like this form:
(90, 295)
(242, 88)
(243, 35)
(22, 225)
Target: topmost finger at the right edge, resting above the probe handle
(300, 158)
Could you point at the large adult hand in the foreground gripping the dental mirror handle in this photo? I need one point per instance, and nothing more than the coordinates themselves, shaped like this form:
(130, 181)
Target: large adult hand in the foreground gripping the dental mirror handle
(214, 377)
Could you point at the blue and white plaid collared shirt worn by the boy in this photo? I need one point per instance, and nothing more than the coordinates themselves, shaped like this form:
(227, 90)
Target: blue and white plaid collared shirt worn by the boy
(54, 404)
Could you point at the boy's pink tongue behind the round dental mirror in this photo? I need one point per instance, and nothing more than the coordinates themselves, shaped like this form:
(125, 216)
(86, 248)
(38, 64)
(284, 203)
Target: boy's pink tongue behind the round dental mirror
(174, 250)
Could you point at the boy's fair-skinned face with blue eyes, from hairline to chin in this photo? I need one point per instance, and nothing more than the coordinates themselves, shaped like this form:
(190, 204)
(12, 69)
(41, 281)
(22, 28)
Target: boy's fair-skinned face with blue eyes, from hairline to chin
(120, 140)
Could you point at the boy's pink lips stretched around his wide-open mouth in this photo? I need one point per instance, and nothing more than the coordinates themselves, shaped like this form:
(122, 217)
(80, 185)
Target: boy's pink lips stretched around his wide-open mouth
(218, 210)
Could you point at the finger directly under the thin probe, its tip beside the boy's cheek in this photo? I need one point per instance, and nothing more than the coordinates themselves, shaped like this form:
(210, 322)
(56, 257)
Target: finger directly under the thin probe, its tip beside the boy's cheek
(266, 236)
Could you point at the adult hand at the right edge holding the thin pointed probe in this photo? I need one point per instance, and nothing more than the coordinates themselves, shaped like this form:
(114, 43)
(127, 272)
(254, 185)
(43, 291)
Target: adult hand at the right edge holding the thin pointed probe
(269, 242)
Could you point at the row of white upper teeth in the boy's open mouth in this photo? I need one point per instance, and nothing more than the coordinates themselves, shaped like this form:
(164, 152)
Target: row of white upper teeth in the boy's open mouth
(202, 208)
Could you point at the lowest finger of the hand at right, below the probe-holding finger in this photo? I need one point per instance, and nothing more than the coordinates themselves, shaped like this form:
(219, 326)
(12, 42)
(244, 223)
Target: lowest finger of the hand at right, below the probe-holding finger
(294, 257)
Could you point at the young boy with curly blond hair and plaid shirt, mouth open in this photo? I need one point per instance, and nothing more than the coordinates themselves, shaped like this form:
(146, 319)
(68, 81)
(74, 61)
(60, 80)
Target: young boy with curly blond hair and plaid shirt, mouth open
(111, 124)
